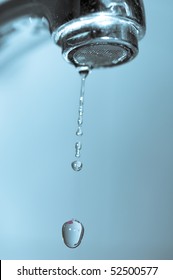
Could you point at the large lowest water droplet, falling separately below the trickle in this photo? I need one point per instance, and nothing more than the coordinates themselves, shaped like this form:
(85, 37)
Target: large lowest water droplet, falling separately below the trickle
(72, 233)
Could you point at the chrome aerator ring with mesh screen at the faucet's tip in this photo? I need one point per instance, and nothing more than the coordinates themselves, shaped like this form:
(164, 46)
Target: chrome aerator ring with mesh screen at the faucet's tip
(99, 30)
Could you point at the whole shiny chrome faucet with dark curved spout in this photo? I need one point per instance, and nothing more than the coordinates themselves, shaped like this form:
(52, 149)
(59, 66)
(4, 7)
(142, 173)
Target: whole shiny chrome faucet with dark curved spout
(102, 33)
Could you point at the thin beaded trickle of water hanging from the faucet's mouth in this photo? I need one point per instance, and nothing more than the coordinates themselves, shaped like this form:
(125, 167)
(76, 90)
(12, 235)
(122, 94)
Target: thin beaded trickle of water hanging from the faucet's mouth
(77, 164)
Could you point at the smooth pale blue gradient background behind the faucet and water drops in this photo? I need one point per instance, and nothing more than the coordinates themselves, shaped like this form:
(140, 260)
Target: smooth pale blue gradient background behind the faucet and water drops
(124, 195)
